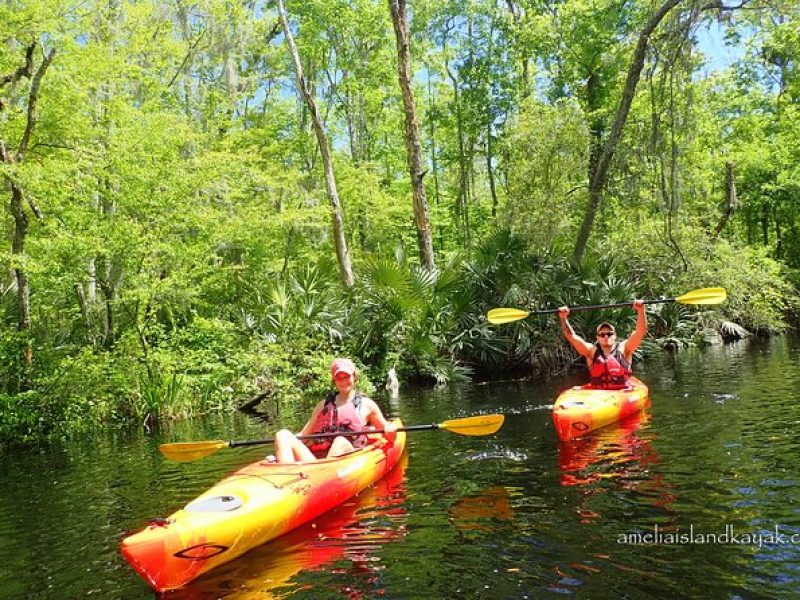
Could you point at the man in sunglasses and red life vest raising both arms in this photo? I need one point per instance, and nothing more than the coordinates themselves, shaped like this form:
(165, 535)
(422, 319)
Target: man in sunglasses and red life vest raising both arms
(609, 361)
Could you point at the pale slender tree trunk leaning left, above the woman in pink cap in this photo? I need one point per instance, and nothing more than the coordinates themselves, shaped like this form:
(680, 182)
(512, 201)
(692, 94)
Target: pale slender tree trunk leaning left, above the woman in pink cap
(342, 253)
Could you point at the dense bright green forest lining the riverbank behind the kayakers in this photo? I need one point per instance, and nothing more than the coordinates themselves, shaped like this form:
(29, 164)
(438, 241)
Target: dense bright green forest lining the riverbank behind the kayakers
(207, 200)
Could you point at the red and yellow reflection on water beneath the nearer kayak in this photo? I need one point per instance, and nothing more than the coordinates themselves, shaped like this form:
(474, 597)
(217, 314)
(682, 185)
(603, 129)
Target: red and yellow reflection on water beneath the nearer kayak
(344, 541)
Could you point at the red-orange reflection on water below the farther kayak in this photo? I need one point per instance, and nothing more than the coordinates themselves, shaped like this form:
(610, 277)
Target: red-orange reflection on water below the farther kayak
(617, 457)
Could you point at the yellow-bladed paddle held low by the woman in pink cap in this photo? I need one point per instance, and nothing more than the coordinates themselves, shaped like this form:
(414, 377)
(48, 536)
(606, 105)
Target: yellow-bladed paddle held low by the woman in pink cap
(187, 451)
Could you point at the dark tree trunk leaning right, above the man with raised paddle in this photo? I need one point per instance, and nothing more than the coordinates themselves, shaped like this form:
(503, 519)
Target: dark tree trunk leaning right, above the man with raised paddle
(599, 175)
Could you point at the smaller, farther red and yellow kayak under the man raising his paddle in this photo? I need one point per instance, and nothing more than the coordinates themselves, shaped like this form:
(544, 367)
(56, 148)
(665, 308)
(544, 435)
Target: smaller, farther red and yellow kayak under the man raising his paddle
(582, 409)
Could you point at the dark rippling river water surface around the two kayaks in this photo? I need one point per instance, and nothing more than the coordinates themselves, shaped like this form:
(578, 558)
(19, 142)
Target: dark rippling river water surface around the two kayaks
(708, 477)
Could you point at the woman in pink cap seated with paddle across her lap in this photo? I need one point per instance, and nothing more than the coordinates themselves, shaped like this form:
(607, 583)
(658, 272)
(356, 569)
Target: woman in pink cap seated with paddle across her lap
(344, 410)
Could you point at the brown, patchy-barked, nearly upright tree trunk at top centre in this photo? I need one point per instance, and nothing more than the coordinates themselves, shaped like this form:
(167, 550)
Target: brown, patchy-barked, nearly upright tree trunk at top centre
(413, 144)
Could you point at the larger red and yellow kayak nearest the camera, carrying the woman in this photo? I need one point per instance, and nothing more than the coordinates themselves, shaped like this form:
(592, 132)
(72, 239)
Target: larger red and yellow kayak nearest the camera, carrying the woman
(254, 505)
